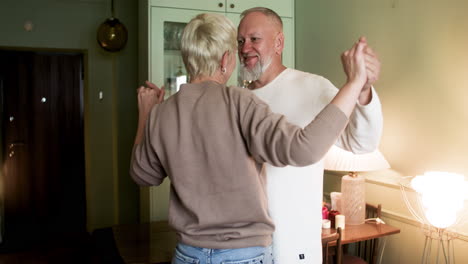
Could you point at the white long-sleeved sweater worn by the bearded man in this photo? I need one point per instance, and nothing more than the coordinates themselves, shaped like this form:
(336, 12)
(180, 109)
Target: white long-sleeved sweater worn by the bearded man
(295, 194)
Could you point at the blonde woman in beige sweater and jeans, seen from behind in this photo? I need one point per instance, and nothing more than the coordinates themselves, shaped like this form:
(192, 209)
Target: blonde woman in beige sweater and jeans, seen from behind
(211, 141)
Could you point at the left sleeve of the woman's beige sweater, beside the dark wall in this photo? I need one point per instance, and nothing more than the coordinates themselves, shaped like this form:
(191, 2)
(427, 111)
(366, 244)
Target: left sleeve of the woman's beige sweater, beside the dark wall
(145, 166)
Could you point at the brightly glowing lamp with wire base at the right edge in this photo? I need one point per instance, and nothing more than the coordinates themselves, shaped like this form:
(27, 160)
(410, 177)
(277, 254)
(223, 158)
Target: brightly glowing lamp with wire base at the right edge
(436, 200)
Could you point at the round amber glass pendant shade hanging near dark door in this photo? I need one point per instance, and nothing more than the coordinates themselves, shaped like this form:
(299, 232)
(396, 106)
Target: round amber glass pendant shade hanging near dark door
(112, 35)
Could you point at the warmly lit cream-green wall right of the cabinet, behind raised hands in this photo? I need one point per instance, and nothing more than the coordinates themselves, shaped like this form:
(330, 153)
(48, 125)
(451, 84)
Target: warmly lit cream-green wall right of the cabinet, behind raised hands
(423, 84)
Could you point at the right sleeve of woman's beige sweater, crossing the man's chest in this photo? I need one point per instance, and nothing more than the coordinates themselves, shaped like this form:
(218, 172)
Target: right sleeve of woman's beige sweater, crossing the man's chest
(270, 138)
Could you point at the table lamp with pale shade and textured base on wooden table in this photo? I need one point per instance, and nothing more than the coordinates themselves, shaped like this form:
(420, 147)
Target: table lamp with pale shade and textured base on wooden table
(353, 196)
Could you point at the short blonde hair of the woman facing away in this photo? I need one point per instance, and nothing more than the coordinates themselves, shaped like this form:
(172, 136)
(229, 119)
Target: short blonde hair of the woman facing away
(204, 41)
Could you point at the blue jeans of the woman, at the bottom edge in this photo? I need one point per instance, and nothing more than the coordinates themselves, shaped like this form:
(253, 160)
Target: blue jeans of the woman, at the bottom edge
(185, 254)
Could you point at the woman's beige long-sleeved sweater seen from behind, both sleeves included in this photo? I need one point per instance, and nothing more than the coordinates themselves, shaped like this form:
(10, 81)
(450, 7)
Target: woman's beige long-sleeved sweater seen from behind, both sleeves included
(211, 141)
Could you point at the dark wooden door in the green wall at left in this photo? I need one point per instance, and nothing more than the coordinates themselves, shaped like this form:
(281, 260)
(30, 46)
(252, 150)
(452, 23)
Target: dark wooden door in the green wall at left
(43, 146)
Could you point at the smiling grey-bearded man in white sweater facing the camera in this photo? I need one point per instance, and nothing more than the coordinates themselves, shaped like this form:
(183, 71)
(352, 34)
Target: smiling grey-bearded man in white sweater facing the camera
(295, 201)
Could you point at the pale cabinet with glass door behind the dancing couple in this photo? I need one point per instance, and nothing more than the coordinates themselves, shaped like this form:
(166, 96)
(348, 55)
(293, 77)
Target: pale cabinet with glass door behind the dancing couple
(160, 26)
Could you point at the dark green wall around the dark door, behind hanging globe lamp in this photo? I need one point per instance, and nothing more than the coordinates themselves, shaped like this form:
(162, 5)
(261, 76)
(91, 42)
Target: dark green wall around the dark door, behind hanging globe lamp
(110, 123)
